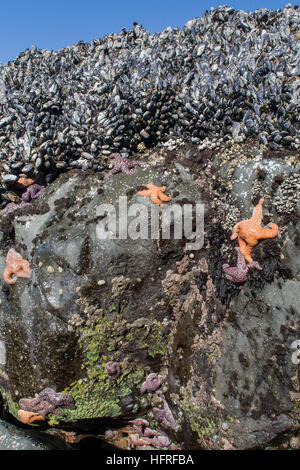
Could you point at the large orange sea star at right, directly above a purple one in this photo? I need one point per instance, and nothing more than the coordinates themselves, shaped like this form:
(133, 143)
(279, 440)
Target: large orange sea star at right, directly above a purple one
(249, 232)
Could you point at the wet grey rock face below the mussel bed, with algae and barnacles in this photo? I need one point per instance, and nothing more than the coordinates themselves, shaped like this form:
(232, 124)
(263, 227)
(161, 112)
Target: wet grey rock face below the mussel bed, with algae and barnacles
(222, 351)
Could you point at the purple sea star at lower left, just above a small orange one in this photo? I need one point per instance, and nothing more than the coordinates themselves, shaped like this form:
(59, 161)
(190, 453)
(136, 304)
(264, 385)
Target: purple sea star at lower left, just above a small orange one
(47, 401)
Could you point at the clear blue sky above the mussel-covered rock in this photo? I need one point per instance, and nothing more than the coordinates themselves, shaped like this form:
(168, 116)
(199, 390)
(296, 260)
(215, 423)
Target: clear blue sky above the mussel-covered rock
(53, 24)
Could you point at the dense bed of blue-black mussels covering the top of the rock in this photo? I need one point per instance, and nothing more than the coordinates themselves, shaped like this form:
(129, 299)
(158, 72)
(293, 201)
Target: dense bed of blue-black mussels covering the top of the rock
(227, 75)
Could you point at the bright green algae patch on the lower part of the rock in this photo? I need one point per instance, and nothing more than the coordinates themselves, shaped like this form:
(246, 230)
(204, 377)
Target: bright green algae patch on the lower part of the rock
(96, 394)
